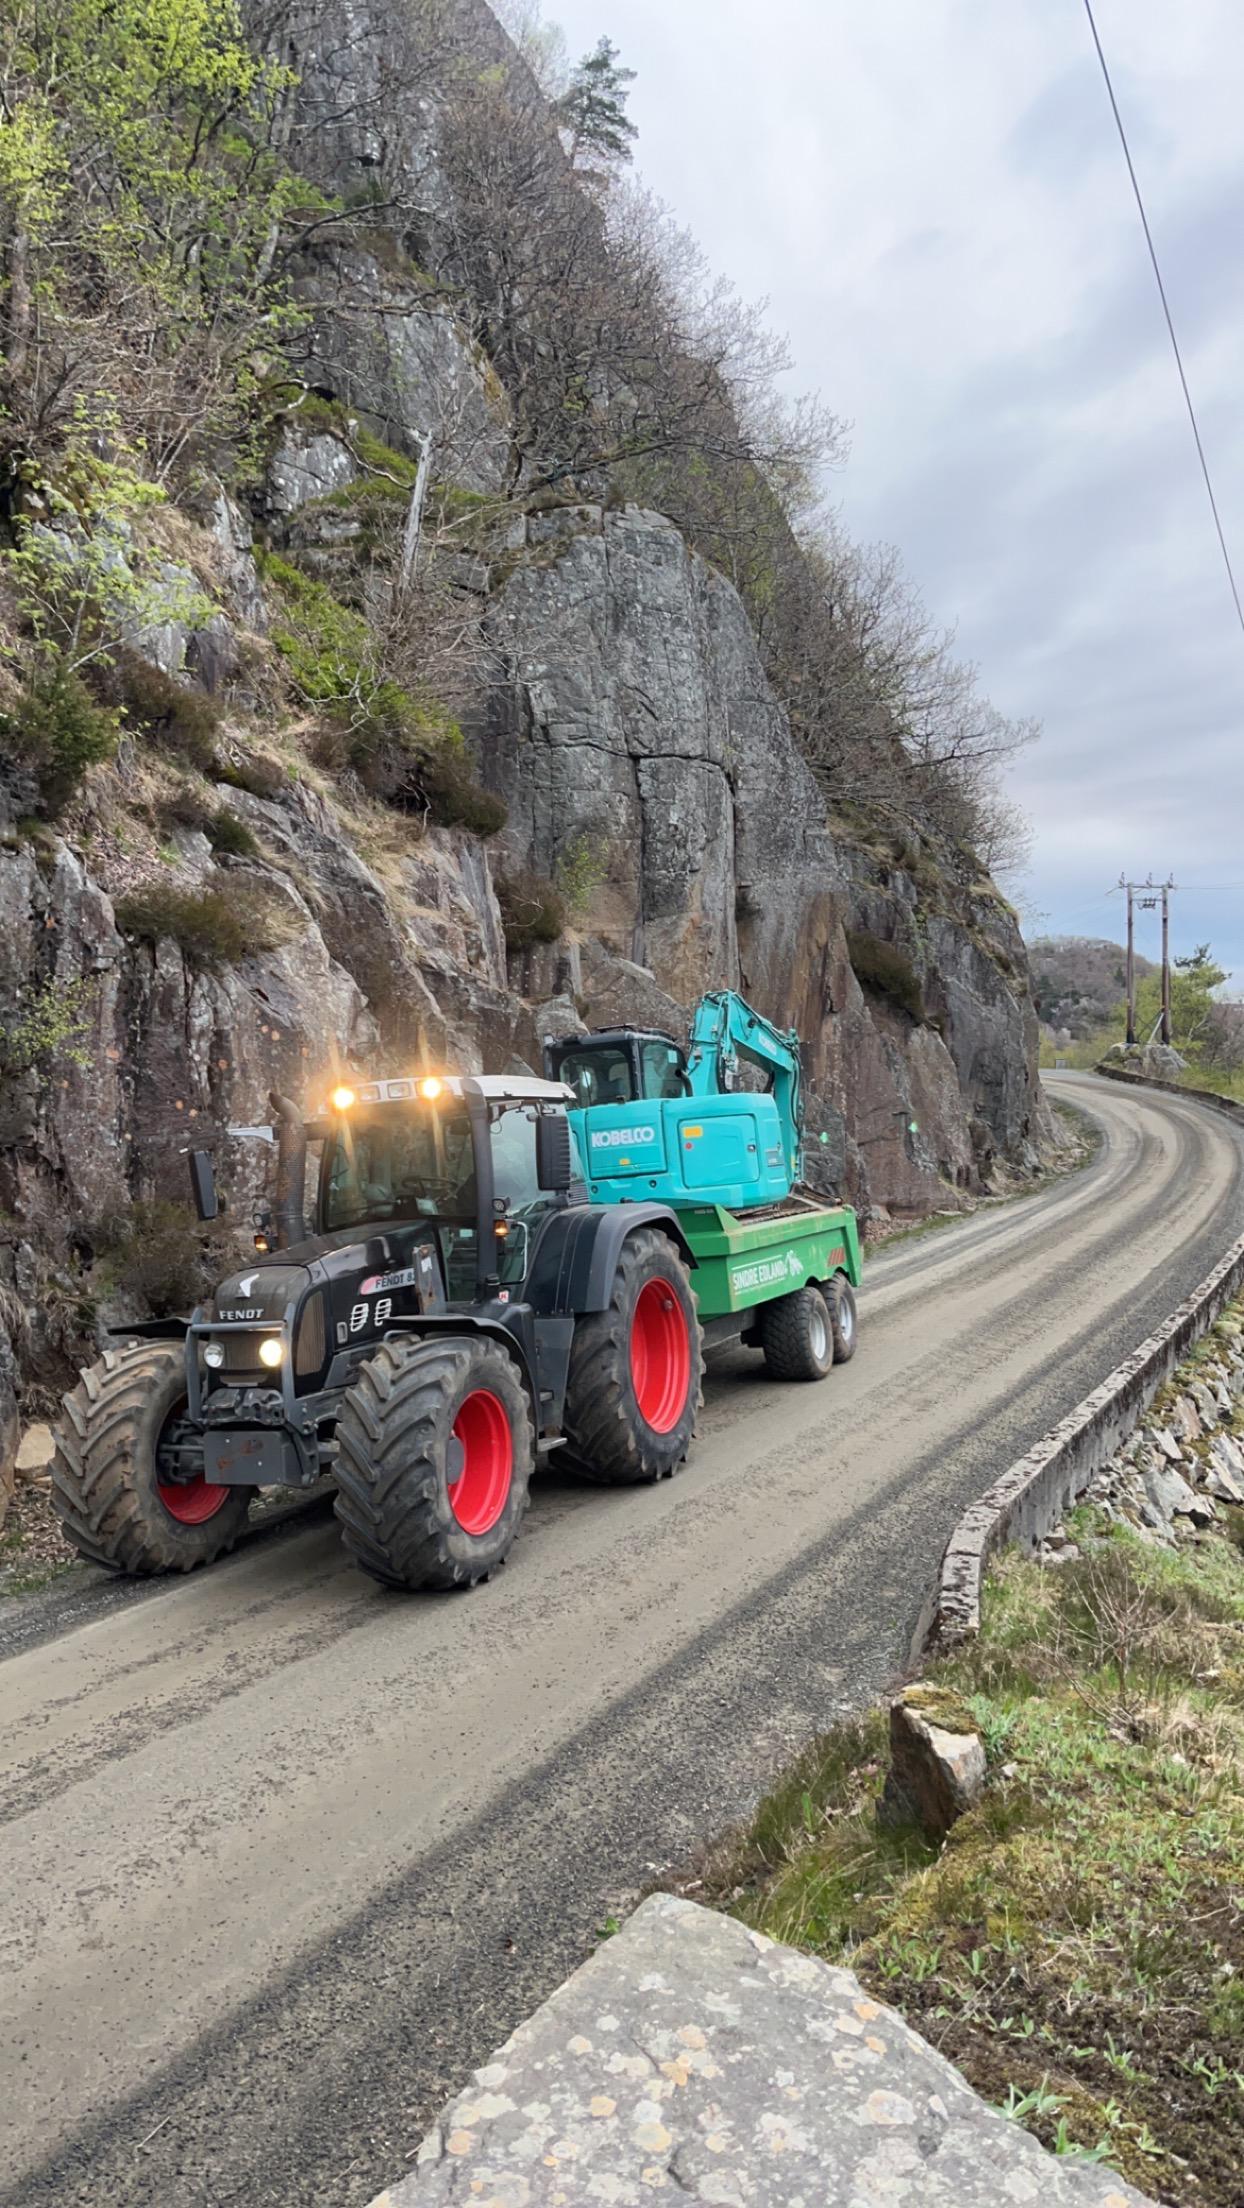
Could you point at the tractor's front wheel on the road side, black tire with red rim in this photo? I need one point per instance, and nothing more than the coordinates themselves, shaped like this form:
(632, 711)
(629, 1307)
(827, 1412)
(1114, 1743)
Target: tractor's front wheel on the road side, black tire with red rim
(401, 1454)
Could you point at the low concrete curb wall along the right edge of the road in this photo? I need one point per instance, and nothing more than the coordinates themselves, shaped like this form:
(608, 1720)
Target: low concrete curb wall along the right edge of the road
(1037, 1489)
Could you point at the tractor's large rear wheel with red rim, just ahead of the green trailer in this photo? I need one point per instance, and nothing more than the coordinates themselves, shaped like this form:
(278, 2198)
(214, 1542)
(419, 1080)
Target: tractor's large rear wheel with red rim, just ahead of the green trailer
(609, 1434)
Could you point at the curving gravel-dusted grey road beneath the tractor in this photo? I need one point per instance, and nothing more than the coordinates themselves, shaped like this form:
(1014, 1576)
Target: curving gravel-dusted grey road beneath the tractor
(284, 1854)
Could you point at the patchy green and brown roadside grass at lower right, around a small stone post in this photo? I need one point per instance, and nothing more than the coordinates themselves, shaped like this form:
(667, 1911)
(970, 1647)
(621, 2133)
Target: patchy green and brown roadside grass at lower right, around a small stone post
(1077, 1946)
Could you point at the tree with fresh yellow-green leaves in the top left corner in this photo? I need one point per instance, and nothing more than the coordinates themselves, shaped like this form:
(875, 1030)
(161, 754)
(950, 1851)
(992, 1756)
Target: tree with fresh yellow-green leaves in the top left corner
(145, 215)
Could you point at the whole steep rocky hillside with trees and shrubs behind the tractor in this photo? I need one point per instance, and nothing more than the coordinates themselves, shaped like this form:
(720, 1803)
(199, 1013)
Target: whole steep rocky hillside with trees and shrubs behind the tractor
(297, 776)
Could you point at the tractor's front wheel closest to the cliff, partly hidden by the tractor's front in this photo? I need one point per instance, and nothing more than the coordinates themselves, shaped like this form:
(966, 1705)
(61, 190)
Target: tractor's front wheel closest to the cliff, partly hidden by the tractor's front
(105, 1472)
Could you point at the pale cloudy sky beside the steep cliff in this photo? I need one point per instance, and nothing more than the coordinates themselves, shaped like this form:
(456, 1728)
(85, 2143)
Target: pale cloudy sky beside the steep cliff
(934, 200)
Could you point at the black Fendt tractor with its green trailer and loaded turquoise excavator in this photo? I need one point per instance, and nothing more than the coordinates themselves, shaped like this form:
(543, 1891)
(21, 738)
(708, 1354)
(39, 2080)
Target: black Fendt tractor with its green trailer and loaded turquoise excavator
(470, 1299)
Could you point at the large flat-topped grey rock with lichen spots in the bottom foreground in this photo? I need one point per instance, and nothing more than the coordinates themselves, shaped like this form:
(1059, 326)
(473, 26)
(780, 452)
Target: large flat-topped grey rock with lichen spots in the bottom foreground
(699, 2059)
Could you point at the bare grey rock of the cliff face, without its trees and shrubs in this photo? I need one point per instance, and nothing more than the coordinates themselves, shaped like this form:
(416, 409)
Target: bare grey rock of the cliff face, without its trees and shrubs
(649, 774)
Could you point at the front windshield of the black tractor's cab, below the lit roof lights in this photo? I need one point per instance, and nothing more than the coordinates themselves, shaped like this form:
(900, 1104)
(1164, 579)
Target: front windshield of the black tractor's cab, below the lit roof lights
(401, 1165)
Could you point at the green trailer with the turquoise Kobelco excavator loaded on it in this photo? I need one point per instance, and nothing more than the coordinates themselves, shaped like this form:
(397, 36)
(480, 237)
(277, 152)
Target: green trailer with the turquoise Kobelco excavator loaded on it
(657, 1123)
